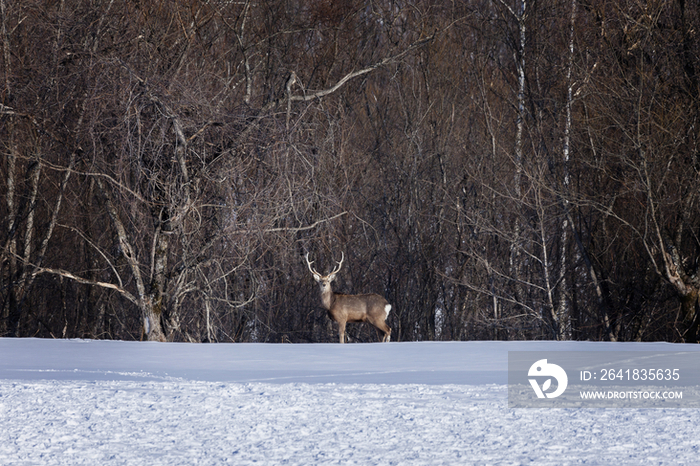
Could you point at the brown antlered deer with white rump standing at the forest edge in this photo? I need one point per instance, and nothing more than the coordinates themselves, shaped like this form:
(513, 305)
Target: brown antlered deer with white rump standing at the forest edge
(344, 308)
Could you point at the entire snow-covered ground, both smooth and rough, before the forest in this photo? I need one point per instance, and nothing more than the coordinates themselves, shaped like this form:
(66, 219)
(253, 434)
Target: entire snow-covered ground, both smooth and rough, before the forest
(108, 402)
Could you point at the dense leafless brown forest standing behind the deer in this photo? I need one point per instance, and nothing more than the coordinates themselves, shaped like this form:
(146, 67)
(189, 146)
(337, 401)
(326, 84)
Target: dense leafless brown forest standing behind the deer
(497, 169)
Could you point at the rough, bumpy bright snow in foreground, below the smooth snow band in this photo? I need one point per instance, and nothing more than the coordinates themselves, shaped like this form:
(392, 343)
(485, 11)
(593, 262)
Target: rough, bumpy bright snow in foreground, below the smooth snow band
(185, 422)
